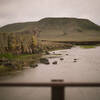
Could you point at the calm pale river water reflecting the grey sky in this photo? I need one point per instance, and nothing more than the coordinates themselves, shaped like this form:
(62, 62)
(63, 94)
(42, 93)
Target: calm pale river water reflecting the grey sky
(86, 69)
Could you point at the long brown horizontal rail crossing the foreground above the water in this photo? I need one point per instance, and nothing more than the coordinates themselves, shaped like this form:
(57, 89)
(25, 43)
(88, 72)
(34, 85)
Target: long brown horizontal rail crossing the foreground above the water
(50, 84)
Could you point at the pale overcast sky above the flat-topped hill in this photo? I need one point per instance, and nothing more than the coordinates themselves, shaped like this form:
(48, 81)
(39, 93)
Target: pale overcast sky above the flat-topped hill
(12, 11)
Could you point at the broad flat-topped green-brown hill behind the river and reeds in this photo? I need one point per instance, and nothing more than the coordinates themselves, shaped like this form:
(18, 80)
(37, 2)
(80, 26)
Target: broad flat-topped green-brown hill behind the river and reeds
(59, 29)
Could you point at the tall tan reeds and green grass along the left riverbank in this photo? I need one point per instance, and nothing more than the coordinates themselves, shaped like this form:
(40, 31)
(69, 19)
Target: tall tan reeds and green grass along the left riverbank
(18, 51)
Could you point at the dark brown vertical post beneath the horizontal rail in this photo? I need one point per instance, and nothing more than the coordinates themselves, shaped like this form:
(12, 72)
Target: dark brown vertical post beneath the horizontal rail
(57, 92)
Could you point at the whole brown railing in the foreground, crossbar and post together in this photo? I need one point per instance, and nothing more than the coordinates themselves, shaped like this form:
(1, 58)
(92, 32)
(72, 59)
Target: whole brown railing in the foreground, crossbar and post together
(57, 87)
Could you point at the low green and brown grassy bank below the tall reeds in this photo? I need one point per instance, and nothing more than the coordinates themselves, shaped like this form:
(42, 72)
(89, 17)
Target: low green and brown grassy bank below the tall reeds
(11, 63)
